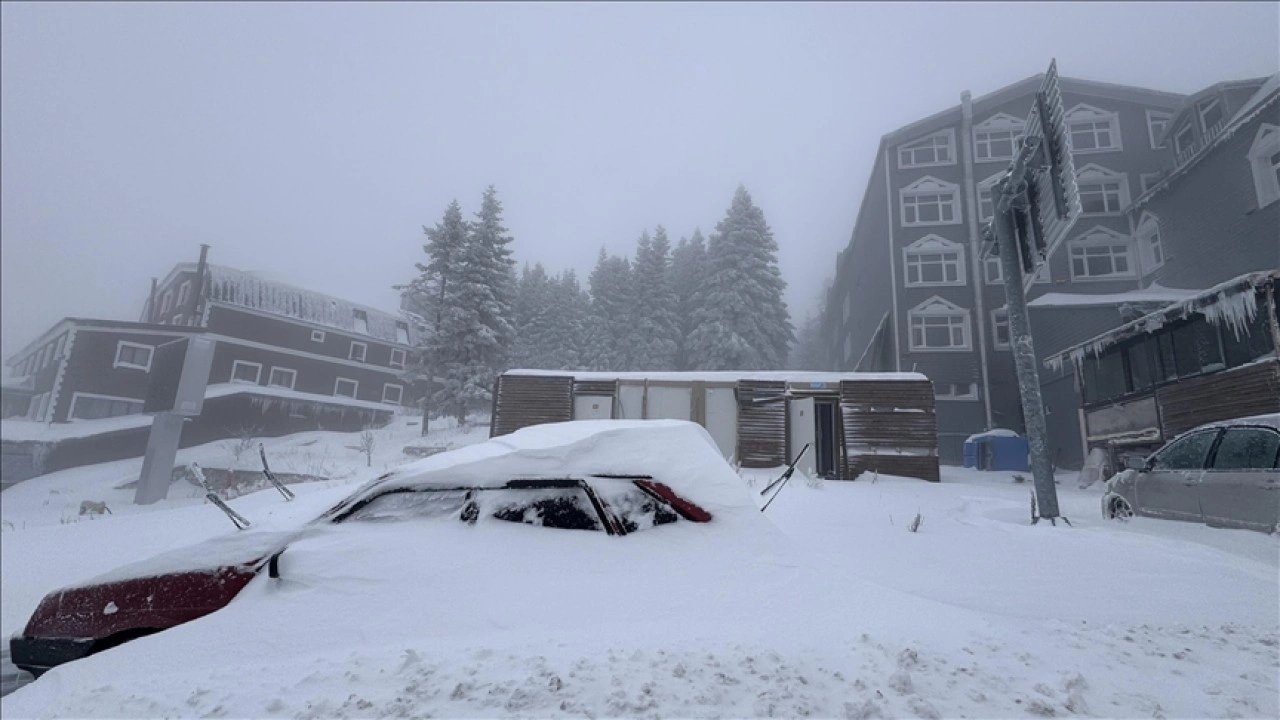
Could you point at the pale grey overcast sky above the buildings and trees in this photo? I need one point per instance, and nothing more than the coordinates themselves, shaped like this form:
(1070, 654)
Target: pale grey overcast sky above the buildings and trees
(314, 142)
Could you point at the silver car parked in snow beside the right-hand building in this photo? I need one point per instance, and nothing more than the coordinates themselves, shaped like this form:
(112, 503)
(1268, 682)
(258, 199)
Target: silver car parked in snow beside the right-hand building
(1227, 475)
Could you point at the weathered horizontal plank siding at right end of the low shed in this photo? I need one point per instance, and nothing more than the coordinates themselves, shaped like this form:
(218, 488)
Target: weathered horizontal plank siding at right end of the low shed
(890, 427)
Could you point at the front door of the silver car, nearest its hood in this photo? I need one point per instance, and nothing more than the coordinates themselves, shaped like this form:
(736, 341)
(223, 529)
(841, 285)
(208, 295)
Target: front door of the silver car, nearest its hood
(1168, 490)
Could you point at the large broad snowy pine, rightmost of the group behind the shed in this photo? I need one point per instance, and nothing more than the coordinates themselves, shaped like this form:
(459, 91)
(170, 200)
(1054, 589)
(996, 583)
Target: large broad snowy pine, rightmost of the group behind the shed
(743, 322)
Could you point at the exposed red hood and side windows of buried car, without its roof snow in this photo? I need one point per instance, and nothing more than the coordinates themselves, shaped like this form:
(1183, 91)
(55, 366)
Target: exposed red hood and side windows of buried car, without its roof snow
(179, 587)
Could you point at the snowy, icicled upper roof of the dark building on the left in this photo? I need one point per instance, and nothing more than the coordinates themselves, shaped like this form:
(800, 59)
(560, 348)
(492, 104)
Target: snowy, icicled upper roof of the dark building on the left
(268, 294)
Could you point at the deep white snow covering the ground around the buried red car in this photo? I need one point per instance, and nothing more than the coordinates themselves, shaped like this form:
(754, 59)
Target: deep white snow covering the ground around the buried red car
(977, 614)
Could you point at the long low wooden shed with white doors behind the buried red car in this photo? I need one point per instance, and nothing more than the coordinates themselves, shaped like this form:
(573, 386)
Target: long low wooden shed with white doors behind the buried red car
(854, 422)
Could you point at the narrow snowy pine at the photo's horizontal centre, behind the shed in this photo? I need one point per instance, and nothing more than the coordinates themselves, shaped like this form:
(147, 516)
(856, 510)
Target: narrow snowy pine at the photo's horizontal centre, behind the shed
(656, 321)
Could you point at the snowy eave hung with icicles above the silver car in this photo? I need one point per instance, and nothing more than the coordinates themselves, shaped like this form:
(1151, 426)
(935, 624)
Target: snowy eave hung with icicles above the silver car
(1233, 302)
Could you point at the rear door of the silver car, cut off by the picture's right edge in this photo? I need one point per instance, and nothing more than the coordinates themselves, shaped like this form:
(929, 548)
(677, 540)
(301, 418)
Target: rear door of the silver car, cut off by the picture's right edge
(1241, 487)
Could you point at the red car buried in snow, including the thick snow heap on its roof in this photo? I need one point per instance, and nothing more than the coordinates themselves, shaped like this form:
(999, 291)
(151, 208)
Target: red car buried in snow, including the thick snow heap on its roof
(609, 479)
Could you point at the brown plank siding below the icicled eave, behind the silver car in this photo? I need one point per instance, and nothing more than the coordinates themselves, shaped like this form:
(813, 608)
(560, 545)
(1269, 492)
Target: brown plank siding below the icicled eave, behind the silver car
(1240, 393)
